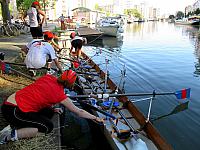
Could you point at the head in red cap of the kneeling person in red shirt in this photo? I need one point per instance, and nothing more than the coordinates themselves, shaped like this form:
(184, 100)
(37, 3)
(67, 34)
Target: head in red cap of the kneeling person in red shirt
(68, 78)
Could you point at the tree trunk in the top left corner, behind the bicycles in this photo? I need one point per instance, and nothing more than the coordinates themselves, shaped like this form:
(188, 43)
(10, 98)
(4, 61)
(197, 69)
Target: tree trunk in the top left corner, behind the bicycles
(5, 10)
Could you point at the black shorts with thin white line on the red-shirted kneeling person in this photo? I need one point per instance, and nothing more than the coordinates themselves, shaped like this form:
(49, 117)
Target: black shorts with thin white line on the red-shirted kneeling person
(40, 120)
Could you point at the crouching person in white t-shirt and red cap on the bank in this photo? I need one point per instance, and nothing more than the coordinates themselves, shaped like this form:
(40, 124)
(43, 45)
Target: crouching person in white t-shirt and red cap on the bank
(38, 51)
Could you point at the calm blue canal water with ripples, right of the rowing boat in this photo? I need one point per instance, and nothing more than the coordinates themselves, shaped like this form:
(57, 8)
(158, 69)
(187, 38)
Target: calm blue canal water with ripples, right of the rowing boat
(163, 57)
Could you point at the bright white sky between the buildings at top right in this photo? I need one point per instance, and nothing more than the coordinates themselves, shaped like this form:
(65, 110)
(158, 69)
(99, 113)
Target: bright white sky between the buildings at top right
(170, 6)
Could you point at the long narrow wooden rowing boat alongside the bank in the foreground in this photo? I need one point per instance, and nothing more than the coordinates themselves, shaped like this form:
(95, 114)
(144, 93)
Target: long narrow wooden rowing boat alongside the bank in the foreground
(129, 118)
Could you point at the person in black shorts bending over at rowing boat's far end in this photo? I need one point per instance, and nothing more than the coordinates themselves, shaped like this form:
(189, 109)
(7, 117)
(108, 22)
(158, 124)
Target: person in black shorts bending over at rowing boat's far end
(77, 43)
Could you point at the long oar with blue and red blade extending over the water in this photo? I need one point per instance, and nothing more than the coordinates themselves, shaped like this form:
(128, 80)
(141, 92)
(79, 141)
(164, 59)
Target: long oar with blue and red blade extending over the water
(180, 94)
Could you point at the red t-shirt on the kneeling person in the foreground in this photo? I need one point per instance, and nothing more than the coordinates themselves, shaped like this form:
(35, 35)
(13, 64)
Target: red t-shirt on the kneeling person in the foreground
(45, 92)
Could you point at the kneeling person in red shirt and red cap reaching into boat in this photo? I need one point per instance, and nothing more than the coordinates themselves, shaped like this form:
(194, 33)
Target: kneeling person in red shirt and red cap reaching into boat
(30, 109)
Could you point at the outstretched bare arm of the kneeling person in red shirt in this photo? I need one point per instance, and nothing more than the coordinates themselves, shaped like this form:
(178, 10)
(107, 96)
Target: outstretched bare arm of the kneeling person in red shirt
(80, 112)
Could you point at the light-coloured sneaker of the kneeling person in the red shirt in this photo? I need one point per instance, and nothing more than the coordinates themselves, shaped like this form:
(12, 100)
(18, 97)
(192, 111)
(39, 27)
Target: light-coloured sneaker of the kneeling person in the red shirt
(4, 134)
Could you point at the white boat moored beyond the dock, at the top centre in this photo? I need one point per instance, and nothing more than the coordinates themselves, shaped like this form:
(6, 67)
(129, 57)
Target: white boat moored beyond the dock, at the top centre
(111, 26)
